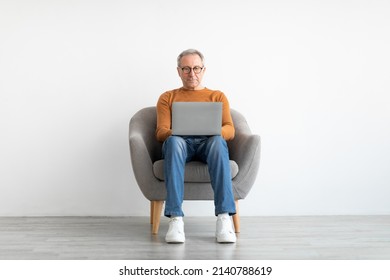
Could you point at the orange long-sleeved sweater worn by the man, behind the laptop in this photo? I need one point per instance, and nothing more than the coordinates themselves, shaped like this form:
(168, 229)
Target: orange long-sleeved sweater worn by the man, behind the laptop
(164, 107)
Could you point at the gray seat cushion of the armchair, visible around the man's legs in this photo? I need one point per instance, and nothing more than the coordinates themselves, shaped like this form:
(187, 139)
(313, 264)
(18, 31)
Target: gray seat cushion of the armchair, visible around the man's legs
(195, 171)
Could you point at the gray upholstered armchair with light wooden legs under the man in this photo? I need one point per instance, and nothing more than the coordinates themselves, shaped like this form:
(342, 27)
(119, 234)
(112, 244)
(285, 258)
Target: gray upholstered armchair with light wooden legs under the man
(147, 162)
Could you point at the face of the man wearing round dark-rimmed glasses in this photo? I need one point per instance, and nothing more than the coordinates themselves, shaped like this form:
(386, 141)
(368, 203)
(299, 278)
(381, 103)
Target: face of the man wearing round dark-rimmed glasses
(191, 80)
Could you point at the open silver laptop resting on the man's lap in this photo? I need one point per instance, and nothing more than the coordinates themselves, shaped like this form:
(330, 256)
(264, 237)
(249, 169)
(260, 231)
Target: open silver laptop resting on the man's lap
(196, 118)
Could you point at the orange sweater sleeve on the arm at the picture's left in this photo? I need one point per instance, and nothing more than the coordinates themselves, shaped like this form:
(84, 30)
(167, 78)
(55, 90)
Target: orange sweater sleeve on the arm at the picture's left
(163, 129)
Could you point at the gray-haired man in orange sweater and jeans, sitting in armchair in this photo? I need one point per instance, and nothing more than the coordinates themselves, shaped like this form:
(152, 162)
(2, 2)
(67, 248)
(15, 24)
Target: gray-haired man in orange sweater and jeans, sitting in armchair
(178, 150)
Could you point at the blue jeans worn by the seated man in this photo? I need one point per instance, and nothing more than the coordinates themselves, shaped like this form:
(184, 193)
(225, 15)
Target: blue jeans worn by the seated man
(177, 151)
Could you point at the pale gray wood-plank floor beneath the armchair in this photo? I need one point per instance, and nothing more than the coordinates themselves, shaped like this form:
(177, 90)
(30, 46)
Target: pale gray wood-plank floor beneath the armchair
(121, 238)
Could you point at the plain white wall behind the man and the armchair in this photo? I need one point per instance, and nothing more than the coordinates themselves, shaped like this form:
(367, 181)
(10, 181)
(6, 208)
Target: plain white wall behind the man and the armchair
(72, 73)
